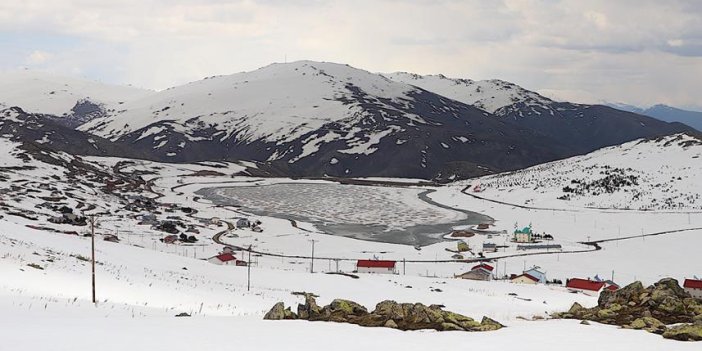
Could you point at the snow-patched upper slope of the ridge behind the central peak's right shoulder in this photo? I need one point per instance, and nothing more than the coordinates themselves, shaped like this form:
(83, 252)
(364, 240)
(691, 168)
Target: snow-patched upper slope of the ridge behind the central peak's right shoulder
(489, 95)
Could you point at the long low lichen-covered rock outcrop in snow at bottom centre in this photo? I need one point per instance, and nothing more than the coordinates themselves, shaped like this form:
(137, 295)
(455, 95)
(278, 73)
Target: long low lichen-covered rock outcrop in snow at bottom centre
(387, 314)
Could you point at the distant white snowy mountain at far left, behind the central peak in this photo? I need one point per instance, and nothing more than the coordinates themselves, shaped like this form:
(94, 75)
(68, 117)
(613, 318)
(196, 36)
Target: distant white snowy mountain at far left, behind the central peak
(73, 100)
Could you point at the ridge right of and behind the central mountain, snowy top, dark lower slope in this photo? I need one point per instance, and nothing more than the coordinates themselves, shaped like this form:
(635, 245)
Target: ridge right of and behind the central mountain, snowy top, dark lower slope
(583, 128)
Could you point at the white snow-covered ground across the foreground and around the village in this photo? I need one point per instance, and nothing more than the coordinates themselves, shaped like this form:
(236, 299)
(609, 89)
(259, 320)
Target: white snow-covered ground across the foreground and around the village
(142, 283)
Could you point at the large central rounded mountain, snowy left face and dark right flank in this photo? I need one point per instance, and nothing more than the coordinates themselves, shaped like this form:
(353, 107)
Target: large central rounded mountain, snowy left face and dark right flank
(314, 119)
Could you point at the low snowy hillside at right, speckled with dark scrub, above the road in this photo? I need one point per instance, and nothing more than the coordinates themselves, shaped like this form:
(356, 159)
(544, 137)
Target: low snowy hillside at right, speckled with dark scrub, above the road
(646, 174)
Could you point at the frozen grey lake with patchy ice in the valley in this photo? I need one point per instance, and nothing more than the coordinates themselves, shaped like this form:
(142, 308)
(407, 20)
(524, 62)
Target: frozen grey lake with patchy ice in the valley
(386, 214)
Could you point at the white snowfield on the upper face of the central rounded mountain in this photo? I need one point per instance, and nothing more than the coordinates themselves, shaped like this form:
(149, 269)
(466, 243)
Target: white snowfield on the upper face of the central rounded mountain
(276, 102)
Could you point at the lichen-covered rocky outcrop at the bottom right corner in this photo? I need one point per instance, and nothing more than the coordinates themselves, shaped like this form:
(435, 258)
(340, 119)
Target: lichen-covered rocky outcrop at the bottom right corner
(651, 309)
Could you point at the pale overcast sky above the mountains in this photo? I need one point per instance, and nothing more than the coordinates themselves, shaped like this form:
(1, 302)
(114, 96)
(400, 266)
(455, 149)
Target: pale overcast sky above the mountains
(633, 51)
